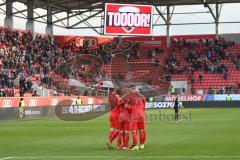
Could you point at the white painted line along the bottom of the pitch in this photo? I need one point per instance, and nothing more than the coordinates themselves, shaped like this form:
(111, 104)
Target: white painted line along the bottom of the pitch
(118, 157)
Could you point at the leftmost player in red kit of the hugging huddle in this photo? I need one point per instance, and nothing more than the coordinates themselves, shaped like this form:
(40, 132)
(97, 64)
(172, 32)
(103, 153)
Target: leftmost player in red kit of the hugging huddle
(114, 100)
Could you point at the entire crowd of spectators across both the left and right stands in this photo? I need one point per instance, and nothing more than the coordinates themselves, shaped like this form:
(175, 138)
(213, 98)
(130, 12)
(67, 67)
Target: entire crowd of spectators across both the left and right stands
(23, 55)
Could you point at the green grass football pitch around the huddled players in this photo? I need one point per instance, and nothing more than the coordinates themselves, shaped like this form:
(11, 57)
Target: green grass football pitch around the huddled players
(213, 134)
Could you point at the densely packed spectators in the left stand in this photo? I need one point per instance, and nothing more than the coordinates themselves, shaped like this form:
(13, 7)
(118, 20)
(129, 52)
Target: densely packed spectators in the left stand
(22, 56)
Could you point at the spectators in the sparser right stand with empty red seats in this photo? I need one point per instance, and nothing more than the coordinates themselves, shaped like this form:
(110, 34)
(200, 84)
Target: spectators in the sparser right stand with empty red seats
(203, 55)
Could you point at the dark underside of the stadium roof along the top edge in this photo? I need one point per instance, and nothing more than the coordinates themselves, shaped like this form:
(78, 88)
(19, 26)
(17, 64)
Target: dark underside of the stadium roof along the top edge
(69, 5)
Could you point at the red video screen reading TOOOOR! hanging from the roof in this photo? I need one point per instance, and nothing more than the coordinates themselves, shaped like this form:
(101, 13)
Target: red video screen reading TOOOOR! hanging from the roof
(128, 19)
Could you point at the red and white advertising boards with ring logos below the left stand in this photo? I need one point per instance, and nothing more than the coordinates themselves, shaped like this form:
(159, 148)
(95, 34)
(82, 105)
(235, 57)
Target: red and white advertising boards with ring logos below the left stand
(46, 101)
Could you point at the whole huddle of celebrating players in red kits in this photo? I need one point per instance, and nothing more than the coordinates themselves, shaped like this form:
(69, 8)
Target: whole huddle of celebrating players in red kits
(127, 116)
